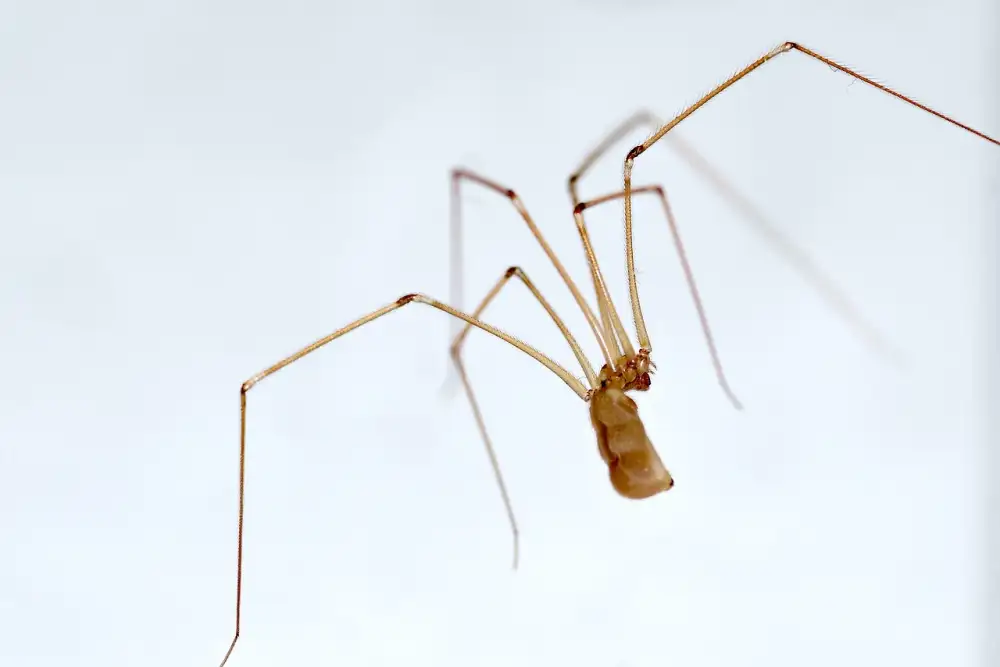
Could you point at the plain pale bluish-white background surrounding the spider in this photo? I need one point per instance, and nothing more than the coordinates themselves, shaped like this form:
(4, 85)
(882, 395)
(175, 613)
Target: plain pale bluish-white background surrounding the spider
(190, 191)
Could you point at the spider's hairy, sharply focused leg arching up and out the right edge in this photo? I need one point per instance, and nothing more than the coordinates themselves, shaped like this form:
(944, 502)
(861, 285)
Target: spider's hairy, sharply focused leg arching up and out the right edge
(660, 133)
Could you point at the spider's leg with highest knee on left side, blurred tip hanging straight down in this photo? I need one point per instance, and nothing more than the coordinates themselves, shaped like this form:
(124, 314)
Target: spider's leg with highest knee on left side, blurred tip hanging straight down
(459, 175)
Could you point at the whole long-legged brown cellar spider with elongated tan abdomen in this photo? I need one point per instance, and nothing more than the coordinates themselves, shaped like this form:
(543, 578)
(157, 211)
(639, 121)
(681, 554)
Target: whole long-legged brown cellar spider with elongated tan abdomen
(634, 467)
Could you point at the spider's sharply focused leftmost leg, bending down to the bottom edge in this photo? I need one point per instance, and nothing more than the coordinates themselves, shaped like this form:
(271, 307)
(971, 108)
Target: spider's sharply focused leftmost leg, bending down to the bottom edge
(564, 374)
